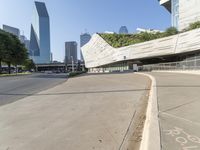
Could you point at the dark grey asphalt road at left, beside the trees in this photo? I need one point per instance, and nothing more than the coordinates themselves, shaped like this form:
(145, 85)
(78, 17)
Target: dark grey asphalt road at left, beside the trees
(15, 88)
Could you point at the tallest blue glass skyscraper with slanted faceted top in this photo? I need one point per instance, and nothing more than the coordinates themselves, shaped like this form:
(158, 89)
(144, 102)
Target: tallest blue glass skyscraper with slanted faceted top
(40, 34)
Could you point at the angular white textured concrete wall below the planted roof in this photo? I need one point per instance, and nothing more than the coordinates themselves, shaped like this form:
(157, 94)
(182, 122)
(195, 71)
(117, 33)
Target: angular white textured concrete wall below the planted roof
(97, 52)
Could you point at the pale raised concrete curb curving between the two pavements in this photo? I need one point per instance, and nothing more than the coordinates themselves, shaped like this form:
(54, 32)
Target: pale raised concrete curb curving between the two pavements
(151, 132)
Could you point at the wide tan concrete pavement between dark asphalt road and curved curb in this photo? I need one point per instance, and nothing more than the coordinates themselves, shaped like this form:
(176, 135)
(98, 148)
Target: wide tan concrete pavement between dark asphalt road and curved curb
(84, 113)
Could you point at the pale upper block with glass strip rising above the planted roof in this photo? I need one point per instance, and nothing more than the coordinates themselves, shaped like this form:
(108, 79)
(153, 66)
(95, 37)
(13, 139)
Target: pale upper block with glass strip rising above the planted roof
(183, 12)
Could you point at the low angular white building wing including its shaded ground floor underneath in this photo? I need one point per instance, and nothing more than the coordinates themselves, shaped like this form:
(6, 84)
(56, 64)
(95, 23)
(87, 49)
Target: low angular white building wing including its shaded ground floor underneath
(101, 57)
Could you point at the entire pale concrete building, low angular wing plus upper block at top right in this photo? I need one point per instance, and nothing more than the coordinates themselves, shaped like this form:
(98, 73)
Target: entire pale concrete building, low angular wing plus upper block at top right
(180, 51)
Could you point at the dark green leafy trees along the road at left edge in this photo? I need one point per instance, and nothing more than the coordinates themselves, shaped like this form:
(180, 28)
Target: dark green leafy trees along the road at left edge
(12, 51)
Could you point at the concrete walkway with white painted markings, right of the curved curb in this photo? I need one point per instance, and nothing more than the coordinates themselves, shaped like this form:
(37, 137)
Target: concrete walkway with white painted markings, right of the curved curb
(179, 110)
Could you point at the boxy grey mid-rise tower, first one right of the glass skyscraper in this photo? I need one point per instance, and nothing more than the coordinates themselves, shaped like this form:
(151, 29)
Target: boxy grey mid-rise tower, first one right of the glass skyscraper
(71, 52)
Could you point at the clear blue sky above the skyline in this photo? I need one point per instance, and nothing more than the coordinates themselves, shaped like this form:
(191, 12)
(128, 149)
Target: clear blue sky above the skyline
(70, 18)
